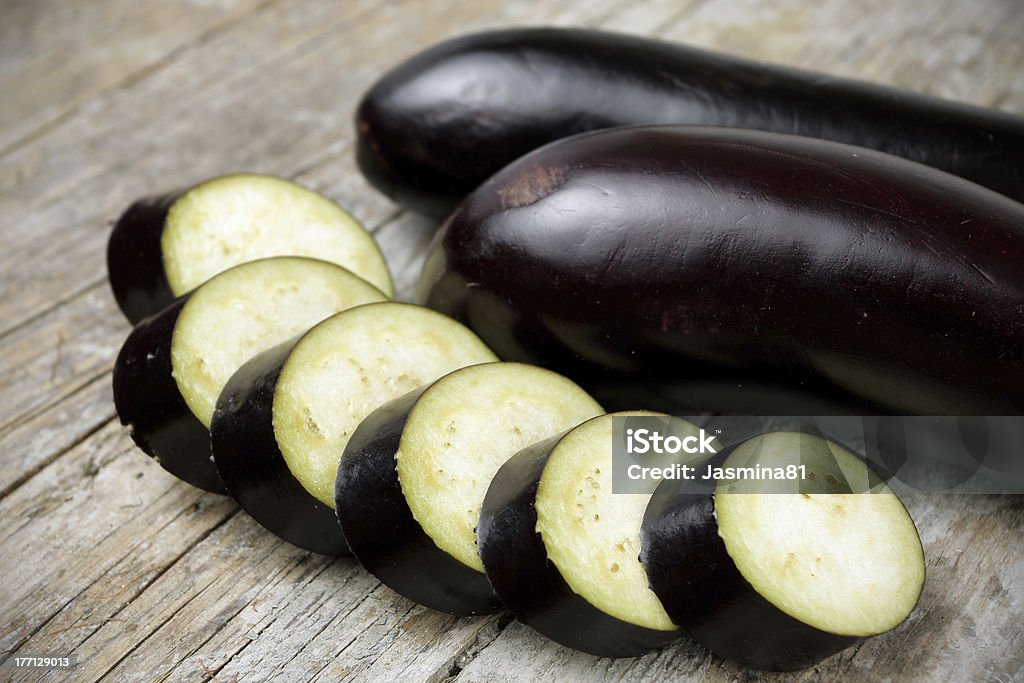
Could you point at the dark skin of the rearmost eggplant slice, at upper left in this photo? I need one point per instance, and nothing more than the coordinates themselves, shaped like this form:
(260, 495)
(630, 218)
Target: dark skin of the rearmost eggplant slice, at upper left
(135, 259)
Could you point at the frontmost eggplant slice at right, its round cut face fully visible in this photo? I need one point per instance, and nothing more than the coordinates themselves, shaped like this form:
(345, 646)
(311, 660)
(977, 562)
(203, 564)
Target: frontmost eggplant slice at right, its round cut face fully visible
(780, 575)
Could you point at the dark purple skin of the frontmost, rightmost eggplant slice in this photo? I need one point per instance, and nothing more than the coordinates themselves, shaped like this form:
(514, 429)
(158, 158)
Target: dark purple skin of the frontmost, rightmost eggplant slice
(703, 591)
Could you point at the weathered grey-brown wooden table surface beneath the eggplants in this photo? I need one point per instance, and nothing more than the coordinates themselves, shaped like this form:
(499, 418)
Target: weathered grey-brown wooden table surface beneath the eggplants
(143, 578)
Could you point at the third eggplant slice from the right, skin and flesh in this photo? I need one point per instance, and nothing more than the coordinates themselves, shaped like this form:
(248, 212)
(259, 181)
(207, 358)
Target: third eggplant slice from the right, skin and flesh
(415, 473)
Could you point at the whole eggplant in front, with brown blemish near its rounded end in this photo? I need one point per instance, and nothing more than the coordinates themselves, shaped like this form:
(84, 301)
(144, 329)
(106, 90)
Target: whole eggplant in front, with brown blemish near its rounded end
(685, 257)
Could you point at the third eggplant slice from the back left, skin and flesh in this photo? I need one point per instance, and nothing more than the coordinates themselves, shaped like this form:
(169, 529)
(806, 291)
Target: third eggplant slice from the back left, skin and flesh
(284, 419)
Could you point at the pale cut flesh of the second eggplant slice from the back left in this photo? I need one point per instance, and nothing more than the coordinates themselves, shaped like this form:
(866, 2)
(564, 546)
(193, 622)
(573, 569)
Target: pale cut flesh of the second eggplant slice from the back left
(248, 310)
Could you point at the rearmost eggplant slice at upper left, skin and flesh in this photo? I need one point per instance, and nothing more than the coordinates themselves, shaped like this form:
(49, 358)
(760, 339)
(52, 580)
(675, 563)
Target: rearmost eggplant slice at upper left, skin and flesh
(163, 247)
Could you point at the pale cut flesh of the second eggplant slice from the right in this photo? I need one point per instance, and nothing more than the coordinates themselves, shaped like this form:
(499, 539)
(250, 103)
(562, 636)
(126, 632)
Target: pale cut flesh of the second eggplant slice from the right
(591, 535)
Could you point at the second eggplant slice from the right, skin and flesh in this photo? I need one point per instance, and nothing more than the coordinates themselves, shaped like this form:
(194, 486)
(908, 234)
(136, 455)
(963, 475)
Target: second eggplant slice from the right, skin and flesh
(563, 551)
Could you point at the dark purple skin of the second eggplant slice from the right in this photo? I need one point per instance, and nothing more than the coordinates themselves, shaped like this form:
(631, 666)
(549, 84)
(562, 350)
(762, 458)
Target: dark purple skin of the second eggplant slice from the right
(533, 589)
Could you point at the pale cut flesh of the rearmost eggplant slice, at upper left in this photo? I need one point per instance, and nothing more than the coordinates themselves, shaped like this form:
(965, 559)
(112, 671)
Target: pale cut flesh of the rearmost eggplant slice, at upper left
(237, 219)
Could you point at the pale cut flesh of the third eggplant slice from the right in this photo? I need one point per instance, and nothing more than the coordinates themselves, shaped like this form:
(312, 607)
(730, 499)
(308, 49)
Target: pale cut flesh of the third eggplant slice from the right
(464, 429)
